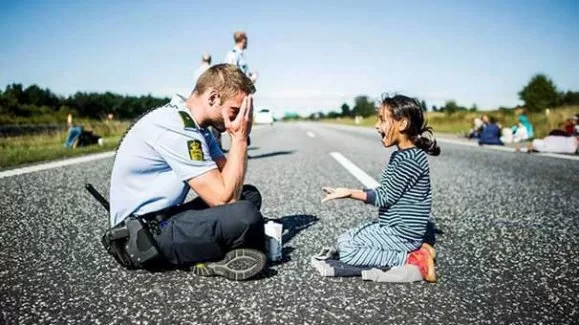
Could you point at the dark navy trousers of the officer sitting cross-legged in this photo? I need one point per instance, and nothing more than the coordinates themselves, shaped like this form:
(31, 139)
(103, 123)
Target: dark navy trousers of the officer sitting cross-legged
(198, 233)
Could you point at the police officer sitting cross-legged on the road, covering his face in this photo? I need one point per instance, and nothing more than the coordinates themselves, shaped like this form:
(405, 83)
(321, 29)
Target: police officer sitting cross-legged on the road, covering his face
(169, 151)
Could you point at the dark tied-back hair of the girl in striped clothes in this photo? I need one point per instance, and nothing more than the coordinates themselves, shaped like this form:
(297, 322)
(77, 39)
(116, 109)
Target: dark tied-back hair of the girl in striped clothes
(417, 130)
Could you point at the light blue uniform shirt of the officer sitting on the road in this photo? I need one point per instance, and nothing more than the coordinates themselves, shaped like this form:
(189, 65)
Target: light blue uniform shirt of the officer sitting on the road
(157, 157)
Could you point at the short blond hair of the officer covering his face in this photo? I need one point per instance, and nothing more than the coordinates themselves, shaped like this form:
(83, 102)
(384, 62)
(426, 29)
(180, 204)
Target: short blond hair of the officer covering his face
(227, 79)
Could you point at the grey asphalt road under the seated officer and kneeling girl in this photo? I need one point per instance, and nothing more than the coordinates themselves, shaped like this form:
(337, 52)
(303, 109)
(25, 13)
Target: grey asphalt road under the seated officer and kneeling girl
(508, 243)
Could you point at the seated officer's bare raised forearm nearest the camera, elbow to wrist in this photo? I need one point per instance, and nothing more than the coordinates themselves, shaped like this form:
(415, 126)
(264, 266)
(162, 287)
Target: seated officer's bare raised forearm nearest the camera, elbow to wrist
(234, 171)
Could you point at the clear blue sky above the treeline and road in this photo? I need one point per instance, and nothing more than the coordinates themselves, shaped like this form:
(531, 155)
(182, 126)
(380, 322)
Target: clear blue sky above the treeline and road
(311, 55)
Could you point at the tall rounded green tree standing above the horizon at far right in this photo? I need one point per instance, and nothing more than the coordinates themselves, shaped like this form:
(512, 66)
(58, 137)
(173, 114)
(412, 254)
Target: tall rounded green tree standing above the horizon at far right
(539, 93)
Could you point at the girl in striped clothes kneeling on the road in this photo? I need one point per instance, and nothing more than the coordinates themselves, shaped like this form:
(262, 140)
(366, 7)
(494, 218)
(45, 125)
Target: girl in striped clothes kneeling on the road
(403, 197)
